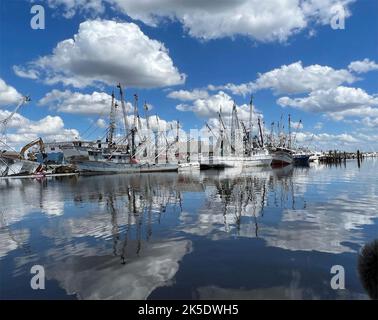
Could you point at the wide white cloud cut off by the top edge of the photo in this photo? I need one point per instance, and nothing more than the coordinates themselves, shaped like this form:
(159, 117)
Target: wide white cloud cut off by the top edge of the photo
(268, 20)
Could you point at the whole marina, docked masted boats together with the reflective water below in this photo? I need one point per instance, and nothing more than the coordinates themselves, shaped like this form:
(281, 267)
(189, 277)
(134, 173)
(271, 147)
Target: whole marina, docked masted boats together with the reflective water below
(158, 214)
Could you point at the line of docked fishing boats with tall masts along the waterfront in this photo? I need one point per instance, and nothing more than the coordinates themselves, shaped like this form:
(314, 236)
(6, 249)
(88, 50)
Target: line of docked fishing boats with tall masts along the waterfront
(229, 145)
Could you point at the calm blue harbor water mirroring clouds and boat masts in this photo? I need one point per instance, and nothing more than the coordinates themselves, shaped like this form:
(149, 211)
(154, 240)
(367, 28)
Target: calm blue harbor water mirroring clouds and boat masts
(262, 234)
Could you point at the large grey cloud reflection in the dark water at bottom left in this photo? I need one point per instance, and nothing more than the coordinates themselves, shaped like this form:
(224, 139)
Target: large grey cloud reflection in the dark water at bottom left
(104, 277)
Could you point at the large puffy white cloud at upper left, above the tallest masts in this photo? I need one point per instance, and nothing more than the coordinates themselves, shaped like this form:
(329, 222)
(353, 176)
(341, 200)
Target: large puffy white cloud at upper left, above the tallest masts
(106, 52)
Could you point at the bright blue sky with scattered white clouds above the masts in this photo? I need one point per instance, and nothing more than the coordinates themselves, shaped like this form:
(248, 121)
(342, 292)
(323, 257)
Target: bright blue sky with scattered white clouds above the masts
(306, 67)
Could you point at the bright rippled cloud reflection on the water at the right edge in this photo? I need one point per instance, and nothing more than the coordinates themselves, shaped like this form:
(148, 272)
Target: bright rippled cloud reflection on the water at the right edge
(326, 227)
